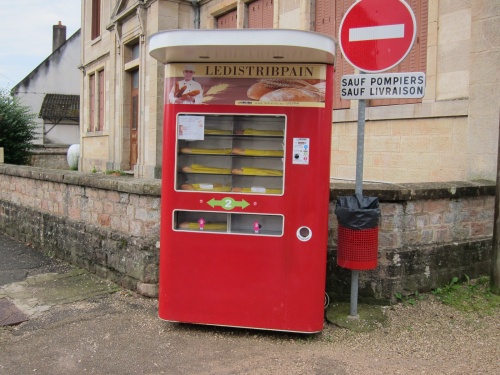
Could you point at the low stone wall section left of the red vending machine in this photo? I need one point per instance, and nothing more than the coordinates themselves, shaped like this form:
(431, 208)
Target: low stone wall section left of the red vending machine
(108, 225)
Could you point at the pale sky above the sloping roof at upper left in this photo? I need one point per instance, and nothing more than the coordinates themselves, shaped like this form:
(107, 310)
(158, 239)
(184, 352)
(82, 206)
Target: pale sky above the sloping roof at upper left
(26, 34)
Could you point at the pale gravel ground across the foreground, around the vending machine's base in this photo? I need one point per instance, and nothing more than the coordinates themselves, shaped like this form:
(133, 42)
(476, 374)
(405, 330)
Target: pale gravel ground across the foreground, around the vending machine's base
(121, 334)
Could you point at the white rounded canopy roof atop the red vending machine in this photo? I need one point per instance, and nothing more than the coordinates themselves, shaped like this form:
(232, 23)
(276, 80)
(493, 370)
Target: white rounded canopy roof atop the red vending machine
(242, 45)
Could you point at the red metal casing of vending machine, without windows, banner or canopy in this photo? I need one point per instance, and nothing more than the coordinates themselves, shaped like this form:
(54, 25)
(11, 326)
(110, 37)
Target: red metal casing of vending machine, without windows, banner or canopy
(244, 280)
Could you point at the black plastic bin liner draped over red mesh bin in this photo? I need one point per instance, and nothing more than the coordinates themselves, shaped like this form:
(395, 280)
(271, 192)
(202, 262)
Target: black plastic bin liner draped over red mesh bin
(358, 213)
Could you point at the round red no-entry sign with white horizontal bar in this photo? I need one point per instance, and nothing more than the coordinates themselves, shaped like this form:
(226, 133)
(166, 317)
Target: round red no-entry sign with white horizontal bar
(376, 35)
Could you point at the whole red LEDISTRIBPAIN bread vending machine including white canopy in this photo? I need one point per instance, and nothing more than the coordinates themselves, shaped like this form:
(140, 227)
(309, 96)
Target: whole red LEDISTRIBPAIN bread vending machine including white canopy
(245, 189)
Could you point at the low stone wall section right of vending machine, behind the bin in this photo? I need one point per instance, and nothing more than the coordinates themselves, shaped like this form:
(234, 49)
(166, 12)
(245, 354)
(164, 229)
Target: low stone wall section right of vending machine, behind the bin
(428, 234)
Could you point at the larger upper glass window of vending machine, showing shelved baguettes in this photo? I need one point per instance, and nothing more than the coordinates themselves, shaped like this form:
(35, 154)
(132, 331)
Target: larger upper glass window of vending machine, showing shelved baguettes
(230, 153)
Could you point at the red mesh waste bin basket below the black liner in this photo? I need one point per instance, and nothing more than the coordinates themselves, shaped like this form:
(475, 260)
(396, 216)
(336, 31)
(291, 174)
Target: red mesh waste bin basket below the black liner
(357, 249)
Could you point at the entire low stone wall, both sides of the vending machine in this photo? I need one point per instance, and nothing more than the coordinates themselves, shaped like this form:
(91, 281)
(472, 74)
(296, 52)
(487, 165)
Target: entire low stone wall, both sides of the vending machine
(428, 233)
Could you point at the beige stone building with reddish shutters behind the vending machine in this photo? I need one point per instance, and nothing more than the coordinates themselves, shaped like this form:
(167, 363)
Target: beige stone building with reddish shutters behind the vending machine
(449, 135)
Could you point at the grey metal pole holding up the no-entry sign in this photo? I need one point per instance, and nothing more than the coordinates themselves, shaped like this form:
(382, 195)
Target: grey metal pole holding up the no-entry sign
(359, 194)
